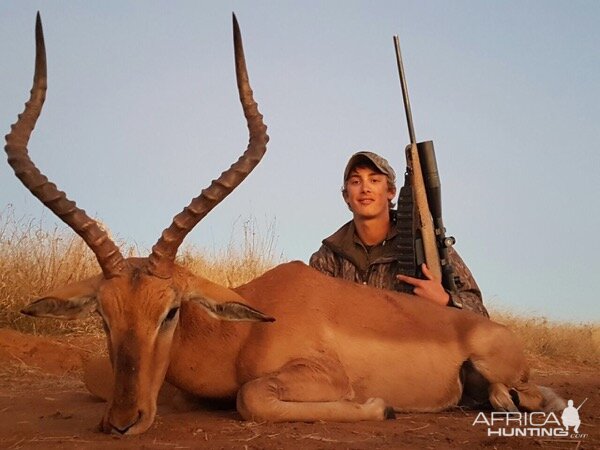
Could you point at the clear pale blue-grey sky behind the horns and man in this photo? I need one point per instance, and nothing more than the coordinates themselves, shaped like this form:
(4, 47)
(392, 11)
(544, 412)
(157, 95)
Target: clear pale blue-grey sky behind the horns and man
(142, 113)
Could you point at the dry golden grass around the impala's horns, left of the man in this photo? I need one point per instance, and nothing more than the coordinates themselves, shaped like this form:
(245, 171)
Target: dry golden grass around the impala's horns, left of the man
(34, 261)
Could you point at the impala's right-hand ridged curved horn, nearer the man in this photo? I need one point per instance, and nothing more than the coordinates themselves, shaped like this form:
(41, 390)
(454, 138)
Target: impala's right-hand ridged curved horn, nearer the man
(163, 255)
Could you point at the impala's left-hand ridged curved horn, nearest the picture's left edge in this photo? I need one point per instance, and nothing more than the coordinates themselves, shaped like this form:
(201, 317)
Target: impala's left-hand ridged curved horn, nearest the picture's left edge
(109, 257)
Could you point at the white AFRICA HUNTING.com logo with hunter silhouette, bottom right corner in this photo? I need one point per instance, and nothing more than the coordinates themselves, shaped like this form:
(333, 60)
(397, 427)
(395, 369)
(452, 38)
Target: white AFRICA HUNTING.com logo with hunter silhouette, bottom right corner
(534, 424)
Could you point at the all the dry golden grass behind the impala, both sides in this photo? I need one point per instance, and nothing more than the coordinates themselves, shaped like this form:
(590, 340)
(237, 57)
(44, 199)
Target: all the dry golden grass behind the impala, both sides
(33, 261)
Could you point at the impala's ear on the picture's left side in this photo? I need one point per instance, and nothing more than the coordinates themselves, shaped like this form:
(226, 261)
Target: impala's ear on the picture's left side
(74, 301)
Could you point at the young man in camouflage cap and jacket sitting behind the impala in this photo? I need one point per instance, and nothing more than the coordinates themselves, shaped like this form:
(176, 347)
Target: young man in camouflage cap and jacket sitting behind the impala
(366, 249)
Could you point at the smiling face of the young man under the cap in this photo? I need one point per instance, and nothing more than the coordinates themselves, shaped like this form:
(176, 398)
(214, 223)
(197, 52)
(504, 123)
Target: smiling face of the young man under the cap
(367, 193)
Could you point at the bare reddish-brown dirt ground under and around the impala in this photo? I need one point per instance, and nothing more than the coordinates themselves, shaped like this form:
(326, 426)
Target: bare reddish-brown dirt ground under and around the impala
(44, 404)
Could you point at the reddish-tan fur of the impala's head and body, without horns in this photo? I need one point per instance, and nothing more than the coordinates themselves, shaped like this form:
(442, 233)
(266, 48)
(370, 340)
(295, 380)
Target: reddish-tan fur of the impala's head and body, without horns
(337, 351)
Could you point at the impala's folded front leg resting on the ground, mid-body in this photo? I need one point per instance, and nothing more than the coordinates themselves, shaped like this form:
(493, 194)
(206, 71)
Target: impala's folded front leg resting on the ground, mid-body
(306, 391)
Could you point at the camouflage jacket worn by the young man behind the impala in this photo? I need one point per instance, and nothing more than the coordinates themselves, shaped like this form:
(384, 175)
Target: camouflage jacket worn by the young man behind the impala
(343, 255)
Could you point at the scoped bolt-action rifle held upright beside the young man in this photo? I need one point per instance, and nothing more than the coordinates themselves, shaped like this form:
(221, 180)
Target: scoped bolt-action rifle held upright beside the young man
(422, 183)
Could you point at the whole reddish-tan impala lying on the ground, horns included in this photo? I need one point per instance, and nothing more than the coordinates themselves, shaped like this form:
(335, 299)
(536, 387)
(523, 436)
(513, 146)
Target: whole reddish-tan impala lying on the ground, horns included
(338, 351)
